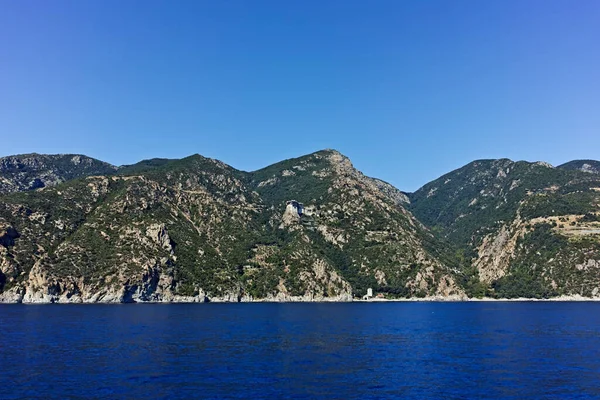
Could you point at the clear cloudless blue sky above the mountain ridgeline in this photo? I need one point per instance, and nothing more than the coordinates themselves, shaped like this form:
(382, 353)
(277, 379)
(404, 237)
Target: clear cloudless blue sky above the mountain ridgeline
(408, 90)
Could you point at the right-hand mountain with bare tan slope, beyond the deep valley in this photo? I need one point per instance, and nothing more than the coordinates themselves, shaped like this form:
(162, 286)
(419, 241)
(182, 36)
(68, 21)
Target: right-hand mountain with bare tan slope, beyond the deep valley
(528, 229)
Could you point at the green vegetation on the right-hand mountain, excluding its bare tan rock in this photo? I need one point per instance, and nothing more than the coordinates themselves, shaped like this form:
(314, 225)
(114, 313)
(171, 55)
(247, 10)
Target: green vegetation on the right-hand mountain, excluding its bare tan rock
(479, 199)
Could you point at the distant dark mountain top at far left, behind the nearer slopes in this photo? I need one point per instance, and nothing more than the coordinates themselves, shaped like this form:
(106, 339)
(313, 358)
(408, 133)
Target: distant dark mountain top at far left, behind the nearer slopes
(34, 171)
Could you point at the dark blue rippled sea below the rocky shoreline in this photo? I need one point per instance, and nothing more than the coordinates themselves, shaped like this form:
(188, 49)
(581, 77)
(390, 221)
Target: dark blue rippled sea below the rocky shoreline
(382, 350)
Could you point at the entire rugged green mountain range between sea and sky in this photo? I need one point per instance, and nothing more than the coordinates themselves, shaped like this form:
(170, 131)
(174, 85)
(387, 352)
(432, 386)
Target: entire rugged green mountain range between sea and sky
(306, 228)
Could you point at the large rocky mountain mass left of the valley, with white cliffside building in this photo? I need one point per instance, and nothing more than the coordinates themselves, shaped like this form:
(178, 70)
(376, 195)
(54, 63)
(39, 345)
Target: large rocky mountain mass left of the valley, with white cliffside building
(196, 229)
